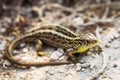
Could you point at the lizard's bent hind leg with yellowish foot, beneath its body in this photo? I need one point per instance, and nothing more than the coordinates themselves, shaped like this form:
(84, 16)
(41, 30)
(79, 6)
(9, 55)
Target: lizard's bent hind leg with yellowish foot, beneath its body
(39, 48)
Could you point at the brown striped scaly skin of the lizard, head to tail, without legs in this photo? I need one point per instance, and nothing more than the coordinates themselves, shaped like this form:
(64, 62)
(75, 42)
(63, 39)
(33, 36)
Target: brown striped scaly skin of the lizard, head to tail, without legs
(54, 35)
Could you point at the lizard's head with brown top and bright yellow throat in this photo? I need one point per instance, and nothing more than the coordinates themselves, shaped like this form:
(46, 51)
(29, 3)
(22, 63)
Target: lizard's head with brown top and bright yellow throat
(88, 41)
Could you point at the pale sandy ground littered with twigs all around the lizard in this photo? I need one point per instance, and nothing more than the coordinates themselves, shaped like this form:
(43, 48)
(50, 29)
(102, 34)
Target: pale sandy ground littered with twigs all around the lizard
(102, 18)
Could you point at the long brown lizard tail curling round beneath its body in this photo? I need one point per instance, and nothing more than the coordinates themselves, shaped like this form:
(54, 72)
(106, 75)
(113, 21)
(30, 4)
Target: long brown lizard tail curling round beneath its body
(20, 63)
